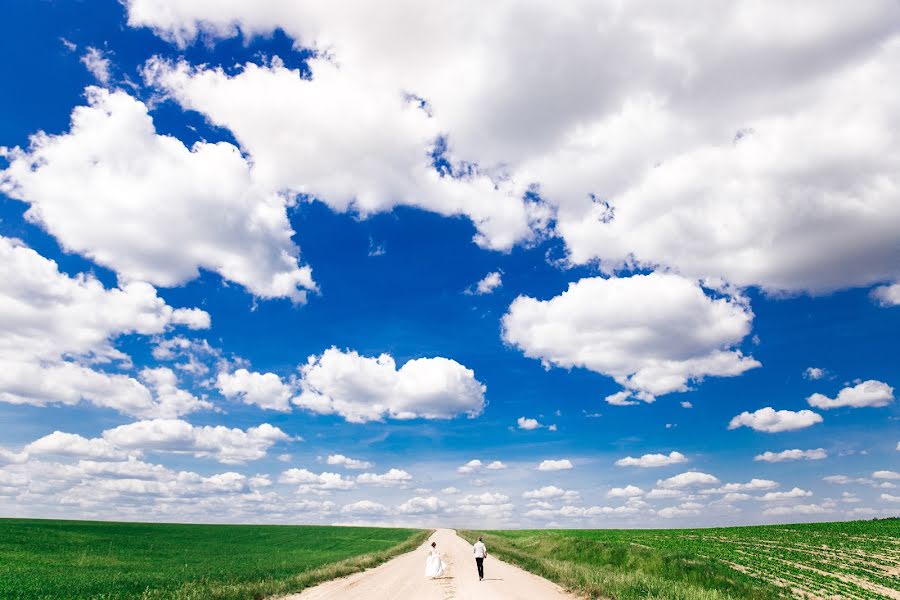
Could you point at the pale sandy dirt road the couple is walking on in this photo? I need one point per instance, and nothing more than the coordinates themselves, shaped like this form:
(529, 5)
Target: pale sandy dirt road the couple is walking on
(403, 578)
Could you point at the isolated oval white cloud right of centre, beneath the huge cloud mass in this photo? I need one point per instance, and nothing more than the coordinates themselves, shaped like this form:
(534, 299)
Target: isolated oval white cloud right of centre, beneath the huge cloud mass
(652, 333)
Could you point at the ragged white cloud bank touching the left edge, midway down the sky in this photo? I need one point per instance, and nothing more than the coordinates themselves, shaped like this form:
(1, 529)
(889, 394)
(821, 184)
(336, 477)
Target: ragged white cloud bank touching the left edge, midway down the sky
(55, 330)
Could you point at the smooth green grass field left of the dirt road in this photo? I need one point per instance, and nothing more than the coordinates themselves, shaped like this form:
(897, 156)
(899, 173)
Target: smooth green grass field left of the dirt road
(113, 561)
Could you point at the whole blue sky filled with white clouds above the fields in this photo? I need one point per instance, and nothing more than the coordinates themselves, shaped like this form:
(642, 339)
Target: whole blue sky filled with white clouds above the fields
(244, 193)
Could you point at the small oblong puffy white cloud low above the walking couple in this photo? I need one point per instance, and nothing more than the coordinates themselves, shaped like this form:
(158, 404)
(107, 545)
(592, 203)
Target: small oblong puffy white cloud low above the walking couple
(362, 389)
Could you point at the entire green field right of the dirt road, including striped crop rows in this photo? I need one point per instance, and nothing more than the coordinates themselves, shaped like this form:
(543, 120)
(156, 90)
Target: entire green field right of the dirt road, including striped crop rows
(855, 560)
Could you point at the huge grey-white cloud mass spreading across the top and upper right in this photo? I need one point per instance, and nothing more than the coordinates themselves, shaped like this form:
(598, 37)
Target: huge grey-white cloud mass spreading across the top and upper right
(635, 163)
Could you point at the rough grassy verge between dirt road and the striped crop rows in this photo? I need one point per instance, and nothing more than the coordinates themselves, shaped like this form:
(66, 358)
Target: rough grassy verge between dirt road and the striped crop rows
(622, 570)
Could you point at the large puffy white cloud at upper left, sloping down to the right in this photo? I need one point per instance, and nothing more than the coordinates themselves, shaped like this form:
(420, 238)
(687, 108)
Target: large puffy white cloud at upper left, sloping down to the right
(152, 209)
